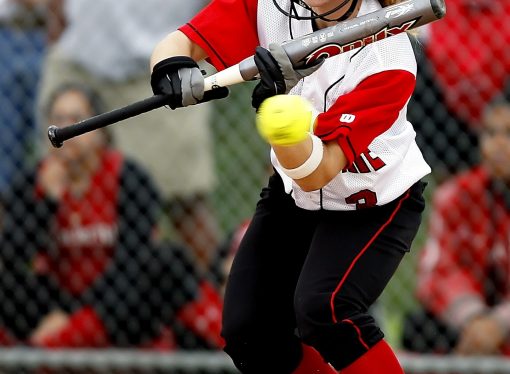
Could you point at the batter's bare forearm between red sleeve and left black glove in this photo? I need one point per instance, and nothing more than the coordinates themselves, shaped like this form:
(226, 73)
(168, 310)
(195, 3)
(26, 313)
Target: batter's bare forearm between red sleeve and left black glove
(176, 44)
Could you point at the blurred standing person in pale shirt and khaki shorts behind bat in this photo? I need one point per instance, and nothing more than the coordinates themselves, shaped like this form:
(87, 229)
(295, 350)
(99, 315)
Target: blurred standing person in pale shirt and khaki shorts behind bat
(107, 44)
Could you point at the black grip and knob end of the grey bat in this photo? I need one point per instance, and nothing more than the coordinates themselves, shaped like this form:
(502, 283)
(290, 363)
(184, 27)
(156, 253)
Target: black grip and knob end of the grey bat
(58, 135)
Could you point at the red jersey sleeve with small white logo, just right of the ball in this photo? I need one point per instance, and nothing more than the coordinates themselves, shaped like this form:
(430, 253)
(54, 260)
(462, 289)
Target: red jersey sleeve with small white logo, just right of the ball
(357, 117)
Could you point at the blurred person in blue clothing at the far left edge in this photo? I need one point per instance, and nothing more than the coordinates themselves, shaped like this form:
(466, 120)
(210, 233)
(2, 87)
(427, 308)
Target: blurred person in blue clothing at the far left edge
(22, 42)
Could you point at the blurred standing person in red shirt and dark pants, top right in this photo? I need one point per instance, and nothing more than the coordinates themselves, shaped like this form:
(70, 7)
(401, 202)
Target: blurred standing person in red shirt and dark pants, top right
(463, 61)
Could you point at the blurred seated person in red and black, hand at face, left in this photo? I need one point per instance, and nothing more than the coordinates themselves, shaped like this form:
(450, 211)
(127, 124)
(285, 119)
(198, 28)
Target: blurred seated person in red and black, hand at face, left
(81, 262)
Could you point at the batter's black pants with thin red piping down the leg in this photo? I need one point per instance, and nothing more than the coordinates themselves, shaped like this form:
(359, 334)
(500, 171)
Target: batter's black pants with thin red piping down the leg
(311, 276)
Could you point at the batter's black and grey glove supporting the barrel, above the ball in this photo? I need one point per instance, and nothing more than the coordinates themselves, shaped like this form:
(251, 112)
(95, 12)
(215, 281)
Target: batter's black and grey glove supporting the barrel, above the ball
(277, 75)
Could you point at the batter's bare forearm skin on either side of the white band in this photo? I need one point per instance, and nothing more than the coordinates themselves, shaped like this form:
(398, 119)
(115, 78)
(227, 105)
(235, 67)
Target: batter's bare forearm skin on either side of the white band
(333, 161)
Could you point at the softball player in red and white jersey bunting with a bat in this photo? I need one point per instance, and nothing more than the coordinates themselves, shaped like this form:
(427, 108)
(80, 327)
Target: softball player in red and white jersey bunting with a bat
(345, 201)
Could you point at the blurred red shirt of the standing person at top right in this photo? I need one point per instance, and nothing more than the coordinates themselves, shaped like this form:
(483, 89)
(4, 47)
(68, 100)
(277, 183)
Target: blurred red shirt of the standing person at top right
(469, 54)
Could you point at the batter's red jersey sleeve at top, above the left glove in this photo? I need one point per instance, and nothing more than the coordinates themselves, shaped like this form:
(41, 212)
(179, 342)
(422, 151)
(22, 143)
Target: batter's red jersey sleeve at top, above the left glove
(226, 30)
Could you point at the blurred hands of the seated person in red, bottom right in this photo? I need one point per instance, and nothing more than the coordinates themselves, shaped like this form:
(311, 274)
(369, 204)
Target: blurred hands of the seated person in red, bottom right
(481, 336)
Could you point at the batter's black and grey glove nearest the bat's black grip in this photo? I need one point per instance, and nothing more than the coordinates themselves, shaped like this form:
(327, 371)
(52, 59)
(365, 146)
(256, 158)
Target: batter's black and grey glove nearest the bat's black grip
(182, 81)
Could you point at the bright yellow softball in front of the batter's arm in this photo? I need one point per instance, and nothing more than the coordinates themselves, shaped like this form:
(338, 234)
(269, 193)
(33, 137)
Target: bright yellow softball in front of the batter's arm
(284, 119)
